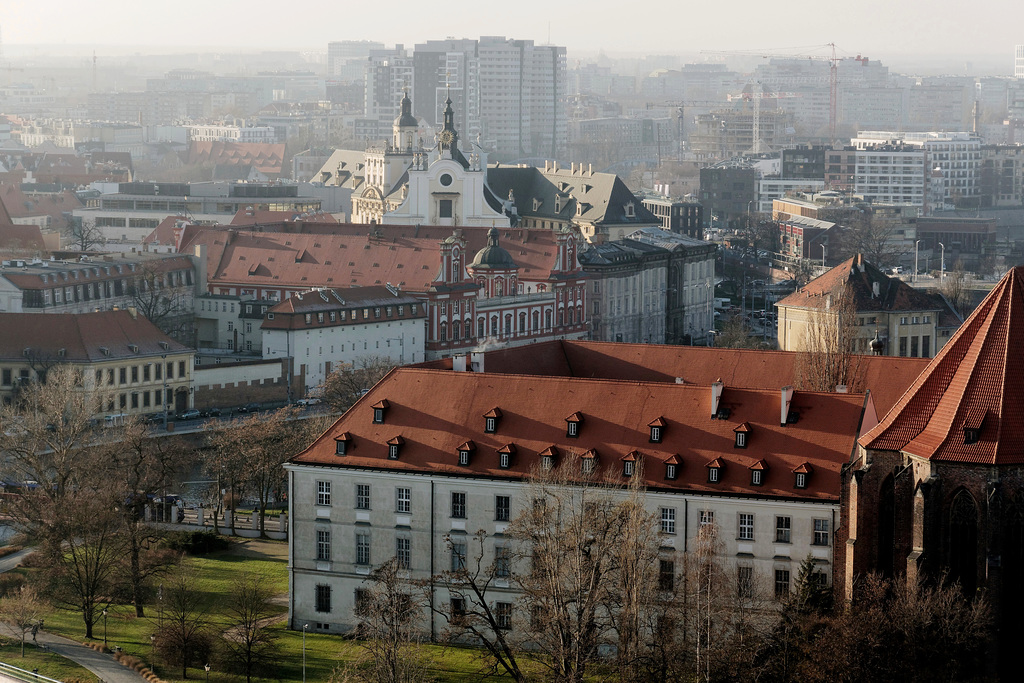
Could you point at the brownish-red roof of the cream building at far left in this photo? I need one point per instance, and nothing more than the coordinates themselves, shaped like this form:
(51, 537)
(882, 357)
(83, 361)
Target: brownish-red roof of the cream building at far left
(81, 336)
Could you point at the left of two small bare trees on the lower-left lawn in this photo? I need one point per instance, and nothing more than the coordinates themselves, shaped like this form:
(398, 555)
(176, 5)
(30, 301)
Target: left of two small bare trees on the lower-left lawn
(183, 635)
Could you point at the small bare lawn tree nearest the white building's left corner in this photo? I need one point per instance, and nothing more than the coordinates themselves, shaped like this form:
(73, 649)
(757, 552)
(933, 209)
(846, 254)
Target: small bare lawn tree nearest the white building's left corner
(250, 644)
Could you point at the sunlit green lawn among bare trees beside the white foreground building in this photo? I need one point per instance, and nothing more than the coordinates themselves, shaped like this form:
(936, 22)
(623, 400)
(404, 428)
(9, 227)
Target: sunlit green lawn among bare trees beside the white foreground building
(218, 571)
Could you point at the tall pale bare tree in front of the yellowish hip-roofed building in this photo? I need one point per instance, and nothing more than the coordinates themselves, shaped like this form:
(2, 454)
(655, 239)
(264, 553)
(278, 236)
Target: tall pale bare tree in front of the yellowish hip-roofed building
(828, 358)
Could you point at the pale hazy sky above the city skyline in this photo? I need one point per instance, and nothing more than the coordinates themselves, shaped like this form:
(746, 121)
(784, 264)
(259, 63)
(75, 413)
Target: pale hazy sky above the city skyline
(877, 28)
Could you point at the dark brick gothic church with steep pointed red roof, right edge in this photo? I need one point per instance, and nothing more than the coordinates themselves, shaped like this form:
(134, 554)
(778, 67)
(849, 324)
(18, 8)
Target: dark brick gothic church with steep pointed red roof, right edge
(937, 487)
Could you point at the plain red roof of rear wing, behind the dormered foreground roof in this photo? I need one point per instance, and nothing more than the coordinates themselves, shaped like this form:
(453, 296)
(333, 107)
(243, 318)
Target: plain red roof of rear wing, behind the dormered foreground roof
(886, 377)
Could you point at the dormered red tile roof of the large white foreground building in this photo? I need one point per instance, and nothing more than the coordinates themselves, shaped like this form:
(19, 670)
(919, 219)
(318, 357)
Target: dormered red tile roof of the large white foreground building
(437, 411)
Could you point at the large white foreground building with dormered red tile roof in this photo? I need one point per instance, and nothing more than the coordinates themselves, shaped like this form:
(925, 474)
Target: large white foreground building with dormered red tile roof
(435, 453)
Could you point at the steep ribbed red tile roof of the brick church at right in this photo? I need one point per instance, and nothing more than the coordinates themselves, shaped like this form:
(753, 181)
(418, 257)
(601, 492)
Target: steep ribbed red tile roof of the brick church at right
(978, 377)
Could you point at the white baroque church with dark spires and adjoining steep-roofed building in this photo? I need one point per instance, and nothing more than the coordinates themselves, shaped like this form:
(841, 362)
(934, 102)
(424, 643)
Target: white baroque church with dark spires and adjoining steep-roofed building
(403, 182)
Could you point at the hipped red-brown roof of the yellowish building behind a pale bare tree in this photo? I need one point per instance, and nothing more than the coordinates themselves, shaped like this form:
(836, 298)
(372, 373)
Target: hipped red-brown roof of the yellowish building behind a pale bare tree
(860, 278)
